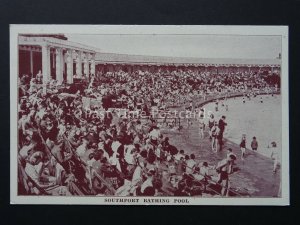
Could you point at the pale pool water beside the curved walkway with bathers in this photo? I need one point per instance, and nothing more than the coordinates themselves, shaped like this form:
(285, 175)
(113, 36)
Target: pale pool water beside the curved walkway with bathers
(252, 118)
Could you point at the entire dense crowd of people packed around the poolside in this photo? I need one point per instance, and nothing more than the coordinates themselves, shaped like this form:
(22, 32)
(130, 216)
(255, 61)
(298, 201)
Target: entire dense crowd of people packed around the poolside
(68, 144)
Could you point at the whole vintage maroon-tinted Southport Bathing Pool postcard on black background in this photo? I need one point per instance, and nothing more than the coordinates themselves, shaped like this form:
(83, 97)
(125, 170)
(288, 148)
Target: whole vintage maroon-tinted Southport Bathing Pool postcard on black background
(149, 115)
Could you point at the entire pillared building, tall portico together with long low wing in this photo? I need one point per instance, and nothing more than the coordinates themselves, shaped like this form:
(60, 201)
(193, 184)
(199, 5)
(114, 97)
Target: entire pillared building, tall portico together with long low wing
(54, 57)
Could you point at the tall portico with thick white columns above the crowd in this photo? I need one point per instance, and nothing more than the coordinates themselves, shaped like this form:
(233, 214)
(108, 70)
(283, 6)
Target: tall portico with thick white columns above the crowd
(55, 57)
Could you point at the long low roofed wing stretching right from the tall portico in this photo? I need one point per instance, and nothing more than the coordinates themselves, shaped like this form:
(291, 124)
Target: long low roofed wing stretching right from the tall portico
(110, 62)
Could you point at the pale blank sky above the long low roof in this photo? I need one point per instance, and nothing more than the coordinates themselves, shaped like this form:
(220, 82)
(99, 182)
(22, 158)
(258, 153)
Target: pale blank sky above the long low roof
(200, 46)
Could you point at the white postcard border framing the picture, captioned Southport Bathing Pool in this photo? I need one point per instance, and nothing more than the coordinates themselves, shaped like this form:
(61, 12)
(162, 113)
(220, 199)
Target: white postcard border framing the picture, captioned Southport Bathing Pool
(137, 29)
